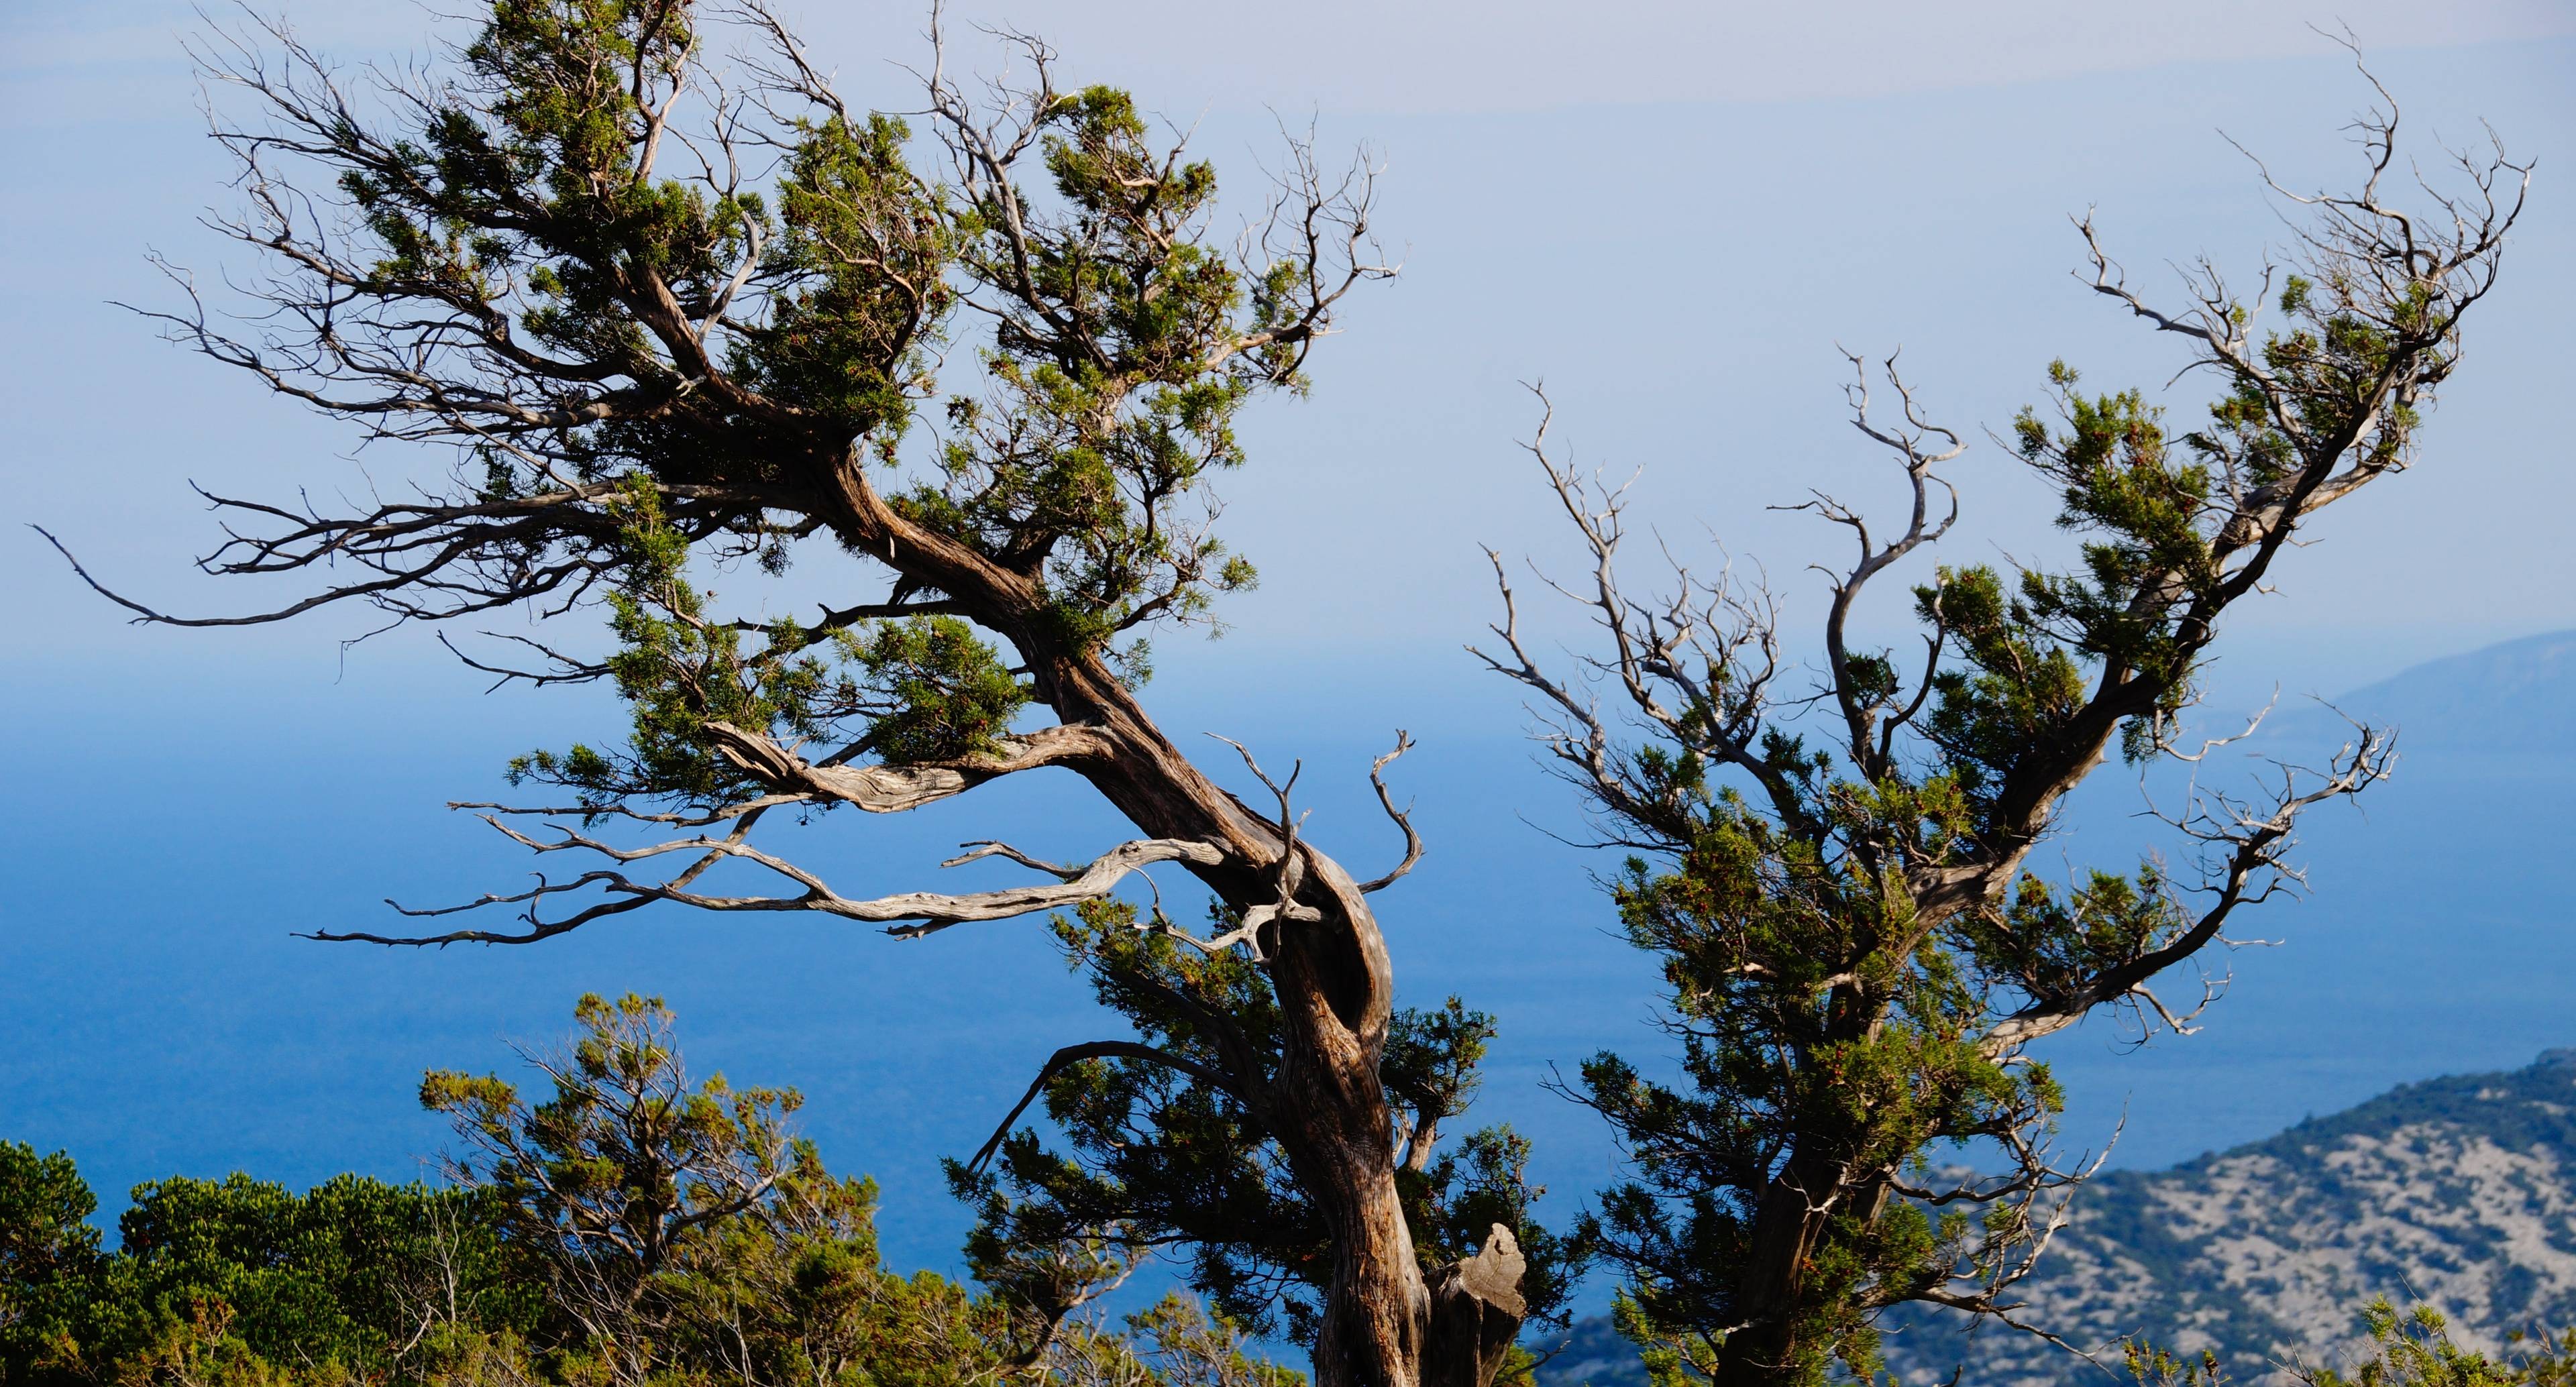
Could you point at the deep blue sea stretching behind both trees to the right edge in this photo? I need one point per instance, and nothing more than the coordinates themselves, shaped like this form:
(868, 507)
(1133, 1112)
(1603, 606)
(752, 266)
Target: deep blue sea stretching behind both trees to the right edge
(158, 1018)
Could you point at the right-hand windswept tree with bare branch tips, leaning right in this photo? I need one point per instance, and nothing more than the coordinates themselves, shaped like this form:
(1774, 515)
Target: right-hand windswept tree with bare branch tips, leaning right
(1838, 879)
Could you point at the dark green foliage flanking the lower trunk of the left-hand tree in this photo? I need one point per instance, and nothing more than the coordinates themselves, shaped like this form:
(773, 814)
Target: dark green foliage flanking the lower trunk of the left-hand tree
(1155, 1157)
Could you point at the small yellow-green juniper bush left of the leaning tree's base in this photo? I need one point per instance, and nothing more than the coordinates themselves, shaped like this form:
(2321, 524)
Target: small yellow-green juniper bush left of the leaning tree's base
(684, 1231)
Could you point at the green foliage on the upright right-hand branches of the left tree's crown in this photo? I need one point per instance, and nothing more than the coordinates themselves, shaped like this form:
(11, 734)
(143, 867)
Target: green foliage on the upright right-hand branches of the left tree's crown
(1114, 380)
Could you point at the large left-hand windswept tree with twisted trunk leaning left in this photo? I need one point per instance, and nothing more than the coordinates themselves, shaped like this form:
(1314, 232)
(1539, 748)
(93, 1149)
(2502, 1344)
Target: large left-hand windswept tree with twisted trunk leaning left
(684, 315)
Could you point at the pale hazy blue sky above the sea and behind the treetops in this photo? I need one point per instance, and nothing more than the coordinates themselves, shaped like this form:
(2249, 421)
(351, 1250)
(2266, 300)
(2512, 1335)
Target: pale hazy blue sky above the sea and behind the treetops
(1671, 215)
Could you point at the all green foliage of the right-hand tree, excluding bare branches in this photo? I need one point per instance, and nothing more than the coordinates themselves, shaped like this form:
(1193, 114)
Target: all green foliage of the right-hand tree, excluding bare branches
(1828, 1028)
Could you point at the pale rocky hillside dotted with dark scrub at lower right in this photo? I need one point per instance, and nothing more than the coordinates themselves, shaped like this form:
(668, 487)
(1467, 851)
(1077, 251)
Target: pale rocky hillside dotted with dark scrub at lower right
(2459, 1193)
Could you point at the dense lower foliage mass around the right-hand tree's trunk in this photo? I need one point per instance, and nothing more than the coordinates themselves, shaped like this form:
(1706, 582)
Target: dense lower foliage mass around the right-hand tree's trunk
(1750, 928)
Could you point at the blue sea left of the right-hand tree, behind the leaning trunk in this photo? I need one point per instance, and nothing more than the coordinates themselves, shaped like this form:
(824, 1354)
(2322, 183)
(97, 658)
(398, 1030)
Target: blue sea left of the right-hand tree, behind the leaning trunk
(158, 1018)
